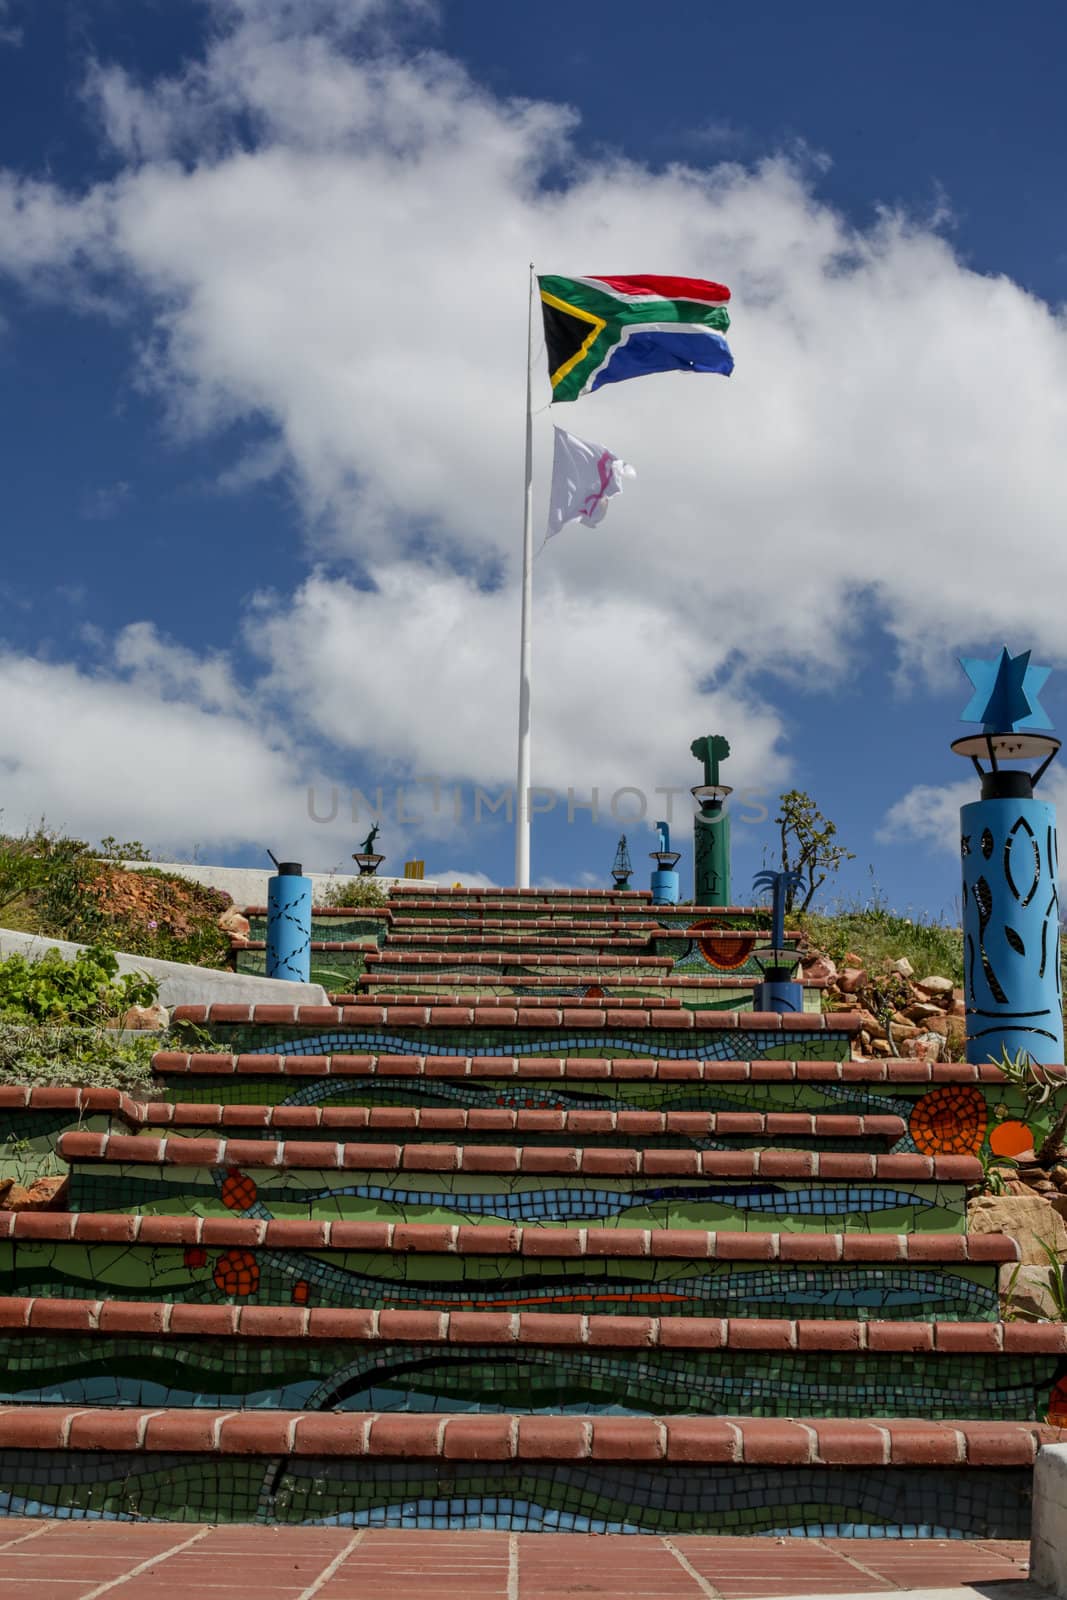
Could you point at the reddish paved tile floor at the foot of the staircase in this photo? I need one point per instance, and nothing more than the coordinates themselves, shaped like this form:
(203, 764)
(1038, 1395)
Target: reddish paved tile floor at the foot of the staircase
(82, 1561)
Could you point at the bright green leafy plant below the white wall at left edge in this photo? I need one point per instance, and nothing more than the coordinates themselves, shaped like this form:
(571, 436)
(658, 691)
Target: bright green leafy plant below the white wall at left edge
(84, 991)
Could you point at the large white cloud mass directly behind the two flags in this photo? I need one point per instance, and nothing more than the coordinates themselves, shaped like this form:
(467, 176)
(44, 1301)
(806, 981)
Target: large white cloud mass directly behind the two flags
(353, 281)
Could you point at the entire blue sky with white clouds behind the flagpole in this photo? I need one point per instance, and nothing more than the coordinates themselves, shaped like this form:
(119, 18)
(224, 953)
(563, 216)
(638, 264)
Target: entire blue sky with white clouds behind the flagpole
(262, 326)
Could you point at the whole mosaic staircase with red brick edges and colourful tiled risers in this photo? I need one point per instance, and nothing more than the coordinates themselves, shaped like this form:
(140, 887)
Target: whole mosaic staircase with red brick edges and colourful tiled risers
(431, 1257)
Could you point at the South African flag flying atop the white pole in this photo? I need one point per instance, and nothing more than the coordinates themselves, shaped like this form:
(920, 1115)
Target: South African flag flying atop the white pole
(604, 330)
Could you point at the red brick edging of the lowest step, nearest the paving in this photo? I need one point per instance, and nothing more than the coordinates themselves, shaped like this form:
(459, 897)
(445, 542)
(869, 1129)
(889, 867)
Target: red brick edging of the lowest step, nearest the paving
(895, 1442)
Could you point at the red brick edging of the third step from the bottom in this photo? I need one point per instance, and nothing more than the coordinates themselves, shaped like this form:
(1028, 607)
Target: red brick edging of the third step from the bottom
(666, 1244)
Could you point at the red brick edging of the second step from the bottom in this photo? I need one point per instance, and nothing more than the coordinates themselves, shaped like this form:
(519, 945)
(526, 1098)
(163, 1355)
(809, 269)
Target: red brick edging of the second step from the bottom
(34, 1316)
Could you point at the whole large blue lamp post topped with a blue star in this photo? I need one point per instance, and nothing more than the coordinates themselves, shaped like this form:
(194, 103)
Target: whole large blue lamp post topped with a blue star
(1010, 879)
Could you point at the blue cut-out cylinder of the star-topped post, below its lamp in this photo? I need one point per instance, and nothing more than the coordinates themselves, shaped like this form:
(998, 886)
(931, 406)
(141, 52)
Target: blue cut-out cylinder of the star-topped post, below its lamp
(1010, 922)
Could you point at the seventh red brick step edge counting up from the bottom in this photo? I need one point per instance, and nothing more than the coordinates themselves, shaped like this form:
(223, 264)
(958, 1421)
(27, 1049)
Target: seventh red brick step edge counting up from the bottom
(495, 1017)
